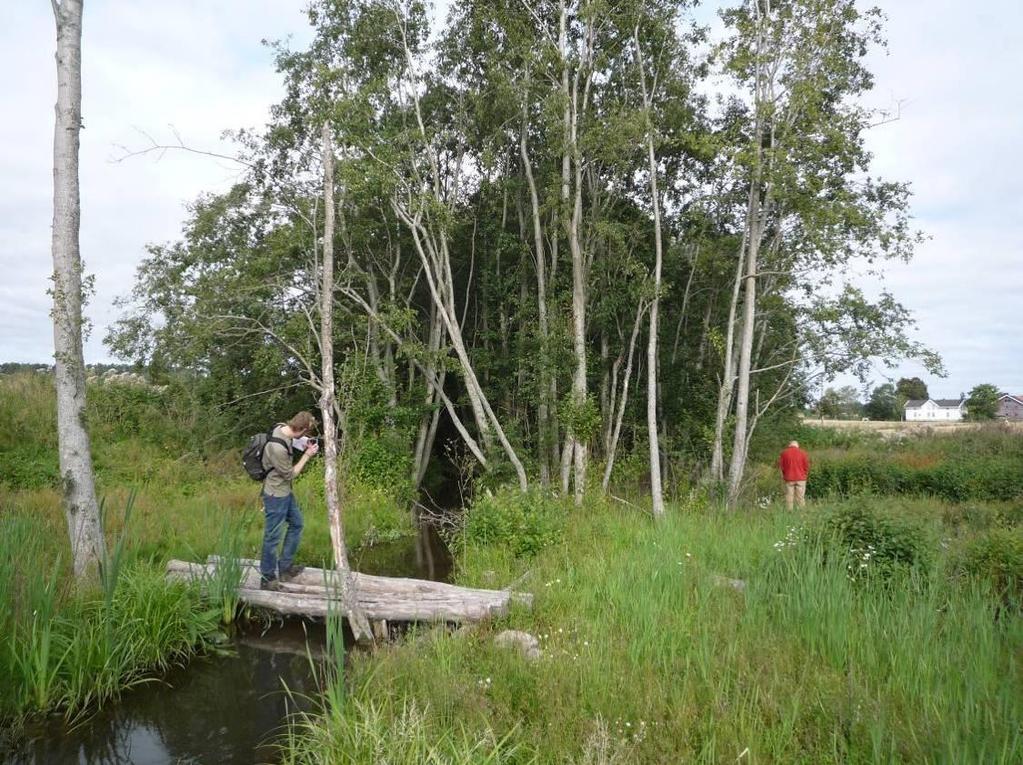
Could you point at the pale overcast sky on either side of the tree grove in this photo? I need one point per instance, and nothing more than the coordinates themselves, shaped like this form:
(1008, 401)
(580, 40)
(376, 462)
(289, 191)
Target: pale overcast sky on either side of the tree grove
(200, 67)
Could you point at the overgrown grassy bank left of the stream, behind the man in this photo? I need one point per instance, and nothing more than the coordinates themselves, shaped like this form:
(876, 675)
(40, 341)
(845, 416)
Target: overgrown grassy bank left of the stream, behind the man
(70, 649)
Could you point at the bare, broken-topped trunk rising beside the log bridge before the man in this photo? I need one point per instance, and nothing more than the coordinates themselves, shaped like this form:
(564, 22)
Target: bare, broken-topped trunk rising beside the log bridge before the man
(358, 621)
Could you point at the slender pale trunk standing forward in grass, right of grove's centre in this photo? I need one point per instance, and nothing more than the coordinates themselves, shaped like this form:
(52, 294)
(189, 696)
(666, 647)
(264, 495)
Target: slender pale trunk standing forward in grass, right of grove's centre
(657, 494)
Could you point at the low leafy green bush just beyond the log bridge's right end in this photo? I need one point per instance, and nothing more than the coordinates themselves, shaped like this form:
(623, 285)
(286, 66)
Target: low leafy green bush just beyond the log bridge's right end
(523, 523)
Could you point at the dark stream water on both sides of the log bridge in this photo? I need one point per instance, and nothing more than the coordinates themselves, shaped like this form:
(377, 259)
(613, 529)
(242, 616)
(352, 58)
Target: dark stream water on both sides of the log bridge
(220, 709)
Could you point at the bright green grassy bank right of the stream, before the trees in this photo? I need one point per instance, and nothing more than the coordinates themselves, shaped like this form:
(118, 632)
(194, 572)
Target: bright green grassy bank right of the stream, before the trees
(647, 658)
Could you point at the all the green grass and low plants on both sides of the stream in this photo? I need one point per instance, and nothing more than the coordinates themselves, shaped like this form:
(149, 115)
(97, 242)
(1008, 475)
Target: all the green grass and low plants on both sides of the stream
(881, 624)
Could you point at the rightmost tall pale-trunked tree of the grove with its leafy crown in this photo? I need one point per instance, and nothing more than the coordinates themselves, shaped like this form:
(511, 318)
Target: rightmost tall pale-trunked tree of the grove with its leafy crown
(812, 209)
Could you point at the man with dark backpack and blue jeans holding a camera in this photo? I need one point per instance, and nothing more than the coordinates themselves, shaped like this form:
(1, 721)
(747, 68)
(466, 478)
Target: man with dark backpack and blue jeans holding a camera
(280, 506)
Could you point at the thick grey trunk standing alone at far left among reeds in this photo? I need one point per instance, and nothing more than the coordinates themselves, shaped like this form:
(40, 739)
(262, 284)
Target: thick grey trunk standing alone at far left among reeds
(77, 480)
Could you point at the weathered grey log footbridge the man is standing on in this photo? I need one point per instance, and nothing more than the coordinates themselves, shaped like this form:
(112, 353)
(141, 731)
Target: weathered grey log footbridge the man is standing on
(315, 593)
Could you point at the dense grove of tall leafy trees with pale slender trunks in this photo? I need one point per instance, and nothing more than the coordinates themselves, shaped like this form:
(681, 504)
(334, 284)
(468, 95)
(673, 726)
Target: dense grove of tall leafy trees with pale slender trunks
(521, 206)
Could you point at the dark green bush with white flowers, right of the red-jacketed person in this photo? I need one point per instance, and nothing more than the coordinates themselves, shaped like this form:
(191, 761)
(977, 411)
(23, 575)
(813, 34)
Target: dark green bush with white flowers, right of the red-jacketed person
(875, 542)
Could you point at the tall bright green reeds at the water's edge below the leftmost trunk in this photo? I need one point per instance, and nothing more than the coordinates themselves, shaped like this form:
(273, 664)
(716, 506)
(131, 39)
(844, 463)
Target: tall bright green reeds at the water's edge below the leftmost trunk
(70, 649)
